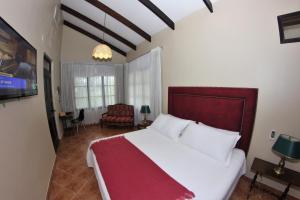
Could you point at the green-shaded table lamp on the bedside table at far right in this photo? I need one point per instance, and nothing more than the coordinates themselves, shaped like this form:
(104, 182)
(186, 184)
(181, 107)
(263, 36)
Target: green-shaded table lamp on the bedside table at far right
(287, 147)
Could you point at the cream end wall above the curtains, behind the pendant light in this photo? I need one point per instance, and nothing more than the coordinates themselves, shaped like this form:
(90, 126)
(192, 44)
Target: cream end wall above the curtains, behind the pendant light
(77, 47)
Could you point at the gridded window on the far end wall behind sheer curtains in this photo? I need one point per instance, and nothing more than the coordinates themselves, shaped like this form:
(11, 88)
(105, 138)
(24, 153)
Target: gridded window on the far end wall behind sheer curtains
(95, 91)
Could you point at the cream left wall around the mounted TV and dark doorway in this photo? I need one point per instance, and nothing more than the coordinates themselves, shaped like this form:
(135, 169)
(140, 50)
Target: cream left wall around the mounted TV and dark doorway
(26, 150)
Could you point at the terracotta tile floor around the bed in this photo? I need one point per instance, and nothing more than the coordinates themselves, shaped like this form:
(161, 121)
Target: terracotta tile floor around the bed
(73, 180)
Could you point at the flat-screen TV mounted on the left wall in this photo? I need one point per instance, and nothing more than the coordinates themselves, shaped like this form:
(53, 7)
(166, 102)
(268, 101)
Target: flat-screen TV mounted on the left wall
(18, 75)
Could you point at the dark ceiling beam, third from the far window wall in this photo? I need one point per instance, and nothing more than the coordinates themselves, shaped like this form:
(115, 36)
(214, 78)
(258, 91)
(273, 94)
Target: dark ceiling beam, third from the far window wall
(120, 18)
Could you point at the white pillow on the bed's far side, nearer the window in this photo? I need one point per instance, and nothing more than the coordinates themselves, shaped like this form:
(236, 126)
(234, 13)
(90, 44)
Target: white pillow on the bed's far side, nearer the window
(170, 126)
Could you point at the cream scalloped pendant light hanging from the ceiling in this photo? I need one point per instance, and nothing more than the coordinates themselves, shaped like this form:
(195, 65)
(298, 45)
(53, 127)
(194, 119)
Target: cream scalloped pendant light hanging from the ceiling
(102, 52)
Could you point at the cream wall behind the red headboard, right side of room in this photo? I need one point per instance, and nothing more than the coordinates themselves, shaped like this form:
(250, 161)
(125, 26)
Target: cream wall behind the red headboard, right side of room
(238, 46)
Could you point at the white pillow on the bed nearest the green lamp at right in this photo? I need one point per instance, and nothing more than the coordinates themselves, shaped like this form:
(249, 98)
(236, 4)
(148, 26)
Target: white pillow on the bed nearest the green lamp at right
(216, 143)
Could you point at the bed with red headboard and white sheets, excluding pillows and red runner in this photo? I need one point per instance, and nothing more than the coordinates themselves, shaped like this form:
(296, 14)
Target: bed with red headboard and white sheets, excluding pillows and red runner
(226, 108)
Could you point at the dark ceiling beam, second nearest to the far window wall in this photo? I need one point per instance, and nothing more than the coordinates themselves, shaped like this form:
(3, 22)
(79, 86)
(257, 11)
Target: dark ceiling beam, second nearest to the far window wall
(97, 25)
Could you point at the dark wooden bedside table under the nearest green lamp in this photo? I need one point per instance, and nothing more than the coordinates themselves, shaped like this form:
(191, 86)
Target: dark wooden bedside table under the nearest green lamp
(265, 169)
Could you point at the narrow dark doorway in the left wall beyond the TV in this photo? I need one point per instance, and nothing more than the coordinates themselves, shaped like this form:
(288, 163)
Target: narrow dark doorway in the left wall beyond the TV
(49, 102)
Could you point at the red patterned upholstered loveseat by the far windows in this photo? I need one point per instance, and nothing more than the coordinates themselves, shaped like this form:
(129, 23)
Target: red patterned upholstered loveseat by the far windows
(118, 115)
